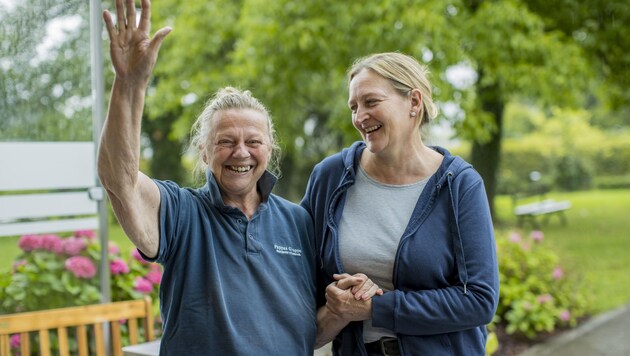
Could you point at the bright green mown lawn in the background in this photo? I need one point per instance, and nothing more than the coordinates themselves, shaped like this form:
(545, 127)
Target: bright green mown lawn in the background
(595, 243)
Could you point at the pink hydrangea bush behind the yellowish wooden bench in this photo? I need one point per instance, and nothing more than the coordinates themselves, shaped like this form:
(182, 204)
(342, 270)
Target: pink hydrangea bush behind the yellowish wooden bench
(54, 272)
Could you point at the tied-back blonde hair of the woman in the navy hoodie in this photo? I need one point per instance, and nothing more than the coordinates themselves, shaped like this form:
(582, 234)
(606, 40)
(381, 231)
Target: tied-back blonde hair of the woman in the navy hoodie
(405, 74)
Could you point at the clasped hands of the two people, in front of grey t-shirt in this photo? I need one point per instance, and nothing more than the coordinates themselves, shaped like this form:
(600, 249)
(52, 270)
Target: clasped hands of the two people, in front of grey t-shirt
(349, 297)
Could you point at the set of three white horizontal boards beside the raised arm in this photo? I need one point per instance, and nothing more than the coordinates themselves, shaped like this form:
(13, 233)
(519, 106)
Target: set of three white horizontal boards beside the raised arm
(47, 187)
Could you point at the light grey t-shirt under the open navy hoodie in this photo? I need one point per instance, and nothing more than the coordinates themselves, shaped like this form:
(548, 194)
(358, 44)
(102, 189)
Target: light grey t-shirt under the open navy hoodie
(373, 221)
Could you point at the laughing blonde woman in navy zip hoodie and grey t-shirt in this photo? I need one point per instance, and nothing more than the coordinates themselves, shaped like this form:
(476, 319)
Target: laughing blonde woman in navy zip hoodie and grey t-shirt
(413, 218)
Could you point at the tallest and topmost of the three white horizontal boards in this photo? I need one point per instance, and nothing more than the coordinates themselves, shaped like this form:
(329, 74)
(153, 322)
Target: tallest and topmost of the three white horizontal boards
(46, 165)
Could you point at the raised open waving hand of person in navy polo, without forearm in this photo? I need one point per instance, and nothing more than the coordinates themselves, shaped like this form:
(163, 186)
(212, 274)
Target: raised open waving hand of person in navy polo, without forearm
(132, 51)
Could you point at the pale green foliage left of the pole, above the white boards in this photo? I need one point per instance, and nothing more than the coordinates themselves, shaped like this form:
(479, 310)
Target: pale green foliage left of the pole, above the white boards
(45, 71)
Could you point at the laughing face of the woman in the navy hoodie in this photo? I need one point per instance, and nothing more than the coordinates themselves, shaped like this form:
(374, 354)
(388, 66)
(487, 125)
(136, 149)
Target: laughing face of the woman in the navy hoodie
(380, 112)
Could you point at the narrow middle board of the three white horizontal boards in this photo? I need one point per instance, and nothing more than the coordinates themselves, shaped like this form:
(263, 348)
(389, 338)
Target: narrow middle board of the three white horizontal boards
(45, 205)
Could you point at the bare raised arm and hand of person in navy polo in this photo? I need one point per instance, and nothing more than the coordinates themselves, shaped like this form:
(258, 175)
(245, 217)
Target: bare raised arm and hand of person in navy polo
(135, 197)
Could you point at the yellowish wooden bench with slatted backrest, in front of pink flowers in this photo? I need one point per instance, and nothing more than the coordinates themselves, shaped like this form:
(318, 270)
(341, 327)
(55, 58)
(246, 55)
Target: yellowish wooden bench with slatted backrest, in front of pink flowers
(79, 318)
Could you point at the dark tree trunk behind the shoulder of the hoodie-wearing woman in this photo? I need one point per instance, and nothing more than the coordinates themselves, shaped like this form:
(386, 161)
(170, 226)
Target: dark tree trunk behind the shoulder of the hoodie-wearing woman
(485, 156)
